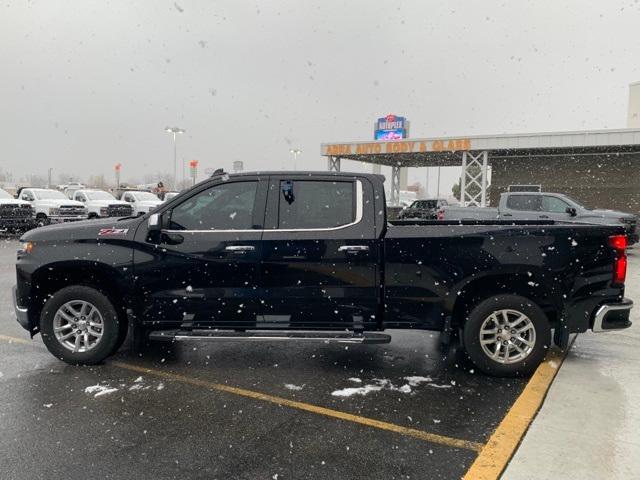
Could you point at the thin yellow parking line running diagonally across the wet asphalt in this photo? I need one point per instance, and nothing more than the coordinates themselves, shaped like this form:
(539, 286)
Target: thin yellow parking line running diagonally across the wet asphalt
(307, 407)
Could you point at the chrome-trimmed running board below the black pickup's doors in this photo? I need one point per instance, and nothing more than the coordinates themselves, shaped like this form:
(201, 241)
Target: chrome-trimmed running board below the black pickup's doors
(270, 335)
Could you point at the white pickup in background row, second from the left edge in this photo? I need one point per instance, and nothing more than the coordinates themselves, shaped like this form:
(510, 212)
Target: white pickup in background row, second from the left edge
(52, 206)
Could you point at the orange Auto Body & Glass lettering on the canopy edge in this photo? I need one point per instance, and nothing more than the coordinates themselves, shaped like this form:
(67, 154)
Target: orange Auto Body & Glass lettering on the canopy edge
(407, 146)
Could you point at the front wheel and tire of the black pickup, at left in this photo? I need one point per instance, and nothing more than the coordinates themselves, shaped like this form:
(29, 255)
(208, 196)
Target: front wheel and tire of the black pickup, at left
(72, 302)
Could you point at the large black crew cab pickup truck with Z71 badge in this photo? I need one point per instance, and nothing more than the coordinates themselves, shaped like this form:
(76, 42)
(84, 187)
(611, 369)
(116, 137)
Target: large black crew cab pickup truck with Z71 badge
(311, 256)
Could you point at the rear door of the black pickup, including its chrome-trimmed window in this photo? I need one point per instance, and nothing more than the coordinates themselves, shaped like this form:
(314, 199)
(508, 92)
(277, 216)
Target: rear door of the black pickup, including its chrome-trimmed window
(320, 259)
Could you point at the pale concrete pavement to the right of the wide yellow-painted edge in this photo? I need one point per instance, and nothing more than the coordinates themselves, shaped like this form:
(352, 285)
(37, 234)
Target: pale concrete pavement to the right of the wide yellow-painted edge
(589, 425)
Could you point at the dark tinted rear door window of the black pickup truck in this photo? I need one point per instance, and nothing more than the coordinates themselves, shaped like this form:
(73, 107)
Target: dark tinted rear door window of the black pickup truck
(309, 204)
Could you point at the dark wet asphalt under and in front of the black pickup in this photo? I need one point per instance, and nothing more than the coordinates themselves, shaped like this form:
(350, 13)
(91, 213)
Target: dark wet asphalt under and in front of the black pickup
(54, 426)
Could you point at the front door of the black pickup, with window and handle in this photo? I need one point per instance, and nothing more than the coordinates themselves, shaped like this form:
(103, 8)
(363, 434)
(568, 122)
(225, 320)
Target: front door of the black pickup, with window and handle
(201, 268)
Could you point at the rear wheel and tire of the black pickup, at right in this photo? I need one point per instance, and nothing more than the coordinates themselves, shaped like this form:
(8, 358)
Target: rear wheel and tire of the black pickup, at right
(519, 353)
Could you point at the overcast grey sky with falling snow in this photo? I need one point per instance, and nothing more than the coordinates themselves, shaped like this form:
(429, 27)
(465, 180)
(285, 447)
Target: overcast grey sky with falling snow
(85, 84)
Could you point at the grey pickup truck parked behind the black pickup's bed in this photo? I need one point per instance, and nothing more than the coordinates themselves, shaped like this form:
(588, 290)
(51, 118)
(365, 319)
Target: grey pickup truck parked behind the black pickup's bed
(543, 206)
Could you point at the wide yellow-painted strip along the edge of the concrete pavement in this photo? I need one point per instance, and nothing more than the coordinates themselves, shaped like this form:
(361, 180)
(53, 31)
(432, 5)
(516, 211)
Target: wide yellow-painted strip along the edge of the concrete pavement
(497, 452)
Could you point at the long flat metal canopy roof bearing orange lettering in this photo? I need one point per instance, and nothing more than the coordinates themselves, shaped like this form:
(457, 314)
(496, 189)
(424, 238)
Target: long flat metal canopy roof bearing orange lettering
(446, 151)
